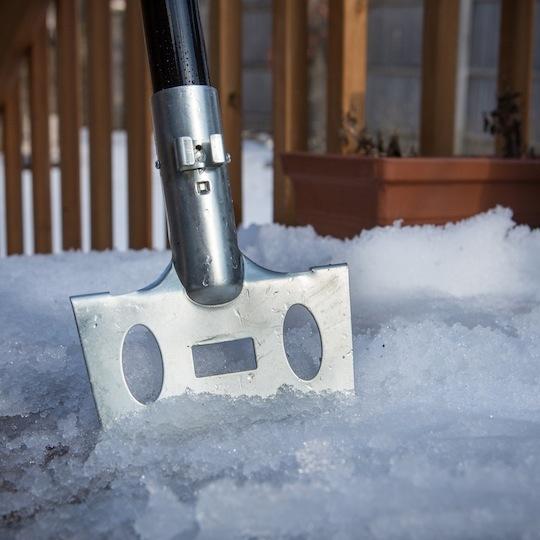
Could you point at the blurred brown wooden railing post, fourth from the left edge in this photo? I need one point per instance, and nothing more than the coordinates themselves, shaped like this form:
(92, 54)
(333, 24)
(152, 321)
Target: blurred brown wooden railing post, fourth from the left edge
(99, 111)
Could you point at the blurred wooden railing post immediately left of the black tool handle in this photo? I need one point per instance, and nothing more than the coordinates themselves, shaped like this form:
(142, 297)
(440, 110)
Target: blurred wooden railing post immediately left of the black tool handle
(139, 130)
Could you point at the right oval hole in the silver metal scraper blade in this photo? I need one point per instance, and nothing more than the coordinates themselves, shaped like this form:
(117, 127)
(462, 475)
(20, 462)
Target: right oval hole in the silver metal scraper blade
(302, 342)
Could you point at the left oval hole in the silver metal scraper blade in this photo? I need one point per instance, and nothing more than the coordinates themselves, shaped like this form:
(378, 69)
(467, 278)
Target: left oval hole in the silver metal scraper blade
(142, 364)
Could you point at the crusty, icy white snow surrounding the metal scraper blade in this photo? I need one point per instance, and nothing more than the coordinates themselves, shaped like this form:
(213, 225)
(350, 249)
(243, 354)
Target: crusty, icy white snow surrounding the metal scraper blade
(442, 440)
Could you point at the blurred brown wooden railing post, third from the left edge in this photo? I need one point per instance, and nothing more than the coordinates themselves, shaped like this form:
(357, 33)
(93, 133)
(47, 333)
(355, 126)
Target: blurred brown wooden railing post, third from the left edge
(69, 120)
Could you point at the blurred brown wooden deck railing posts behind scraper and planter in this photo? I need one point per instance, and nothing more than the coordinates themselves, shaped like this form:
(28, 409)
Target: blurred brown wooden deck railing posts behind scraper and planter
(24, 38)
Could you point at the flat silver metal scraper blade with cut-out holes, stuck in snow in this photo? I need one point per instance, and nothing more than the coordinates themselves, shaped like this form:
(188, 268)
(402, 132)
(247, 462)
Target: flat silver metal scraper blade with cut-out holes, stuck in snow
(179, 324)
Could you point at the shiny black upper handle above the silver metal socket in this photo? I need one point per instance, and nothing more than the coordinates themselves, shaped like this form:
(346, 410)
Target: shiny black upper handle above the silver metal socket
(175, 43)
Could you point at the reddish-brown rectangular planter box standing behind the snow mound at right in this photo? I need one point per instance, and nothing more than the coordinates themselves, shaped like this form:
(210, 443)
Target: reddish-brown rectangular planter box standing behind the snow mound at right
(341, 195)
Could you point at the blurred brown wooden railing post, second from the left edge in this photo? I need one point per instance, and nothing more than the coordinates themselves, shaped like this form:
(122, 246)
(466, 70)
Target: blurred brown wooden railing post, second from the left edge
(39, 115)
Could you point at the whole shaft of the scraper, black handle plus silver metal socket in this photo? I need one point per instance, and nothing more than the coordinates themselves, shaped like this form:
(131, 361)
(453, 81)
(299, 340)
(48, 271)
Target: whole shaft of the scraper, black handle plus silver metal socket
(193, 162)
